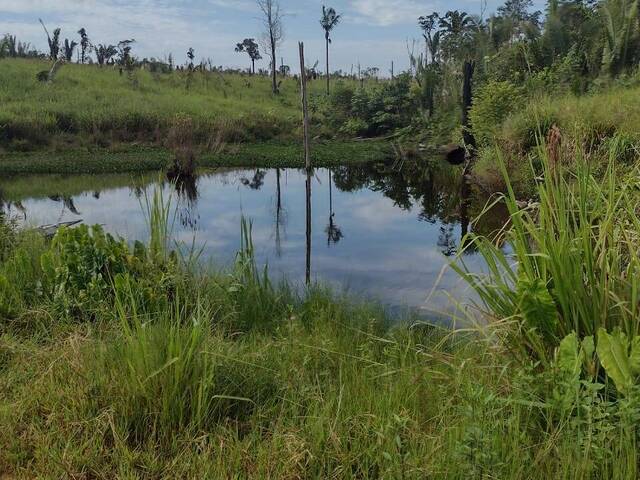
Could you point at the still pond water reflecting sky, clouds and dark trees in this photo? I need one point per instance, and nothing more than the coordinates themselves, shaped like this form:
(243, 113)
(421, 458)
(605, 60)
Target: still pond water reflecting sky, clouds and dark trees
(377, 231)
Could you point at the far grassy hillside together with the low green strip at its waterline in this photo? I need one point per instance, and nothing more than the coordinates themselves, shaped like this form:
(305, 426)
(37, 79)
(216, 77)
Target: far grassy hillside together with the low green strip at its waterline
(97, 121)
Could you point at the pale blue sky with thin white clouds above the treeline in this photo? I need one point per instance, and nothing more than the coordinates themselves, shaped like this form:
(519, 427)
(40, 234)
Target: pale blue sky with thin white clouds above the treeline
(373, 32)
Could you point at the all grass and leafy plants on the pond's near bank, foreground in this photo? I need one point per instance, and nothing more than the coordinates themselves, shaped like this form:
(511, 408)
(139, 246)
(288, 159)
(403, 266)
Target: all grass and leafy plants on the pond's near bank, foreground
(134, 361)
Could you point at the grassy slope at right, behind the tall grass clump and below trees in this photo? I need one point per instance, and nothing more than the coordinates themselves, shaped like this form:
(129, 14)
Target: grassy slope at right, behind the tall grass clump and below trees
(600, 124)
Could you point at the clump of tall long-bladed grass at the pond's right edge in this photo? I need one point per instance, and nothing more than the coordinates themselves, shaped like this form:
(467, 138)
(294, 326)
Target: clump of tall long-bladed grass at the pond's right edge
(573, 263)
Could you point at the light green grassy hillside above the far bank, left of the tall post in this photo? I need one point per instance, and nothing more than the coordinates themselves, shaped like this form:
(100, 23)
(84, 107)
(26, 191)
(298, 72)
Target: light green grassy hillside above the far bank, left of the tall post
(92, 106)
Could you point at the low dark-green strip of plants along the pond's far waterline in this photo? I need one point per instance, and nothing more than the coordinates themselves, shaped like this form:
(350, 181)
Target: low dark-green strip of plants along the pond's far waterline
(141, 158)
